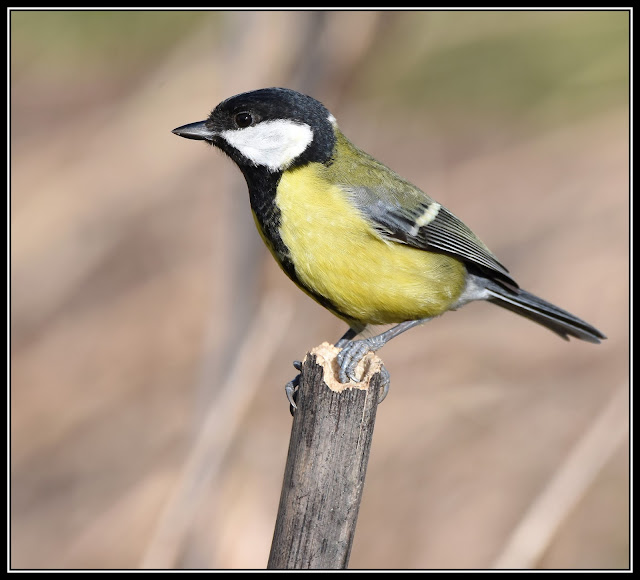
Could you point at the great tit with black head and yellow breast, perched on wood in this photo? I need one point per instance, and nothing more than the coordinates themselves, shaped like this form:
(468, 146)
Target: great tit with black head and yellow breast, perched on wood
(355, 236)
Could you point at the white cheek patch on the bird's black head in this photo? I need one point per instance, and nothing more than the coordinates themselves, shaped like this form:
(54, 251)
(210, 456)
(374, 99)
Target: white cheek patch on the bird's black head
(273, 144)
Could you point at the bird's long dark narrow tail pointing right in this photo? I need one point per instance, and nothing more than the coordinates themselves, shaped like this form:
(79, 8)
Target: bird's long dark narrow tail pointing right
(559, 321)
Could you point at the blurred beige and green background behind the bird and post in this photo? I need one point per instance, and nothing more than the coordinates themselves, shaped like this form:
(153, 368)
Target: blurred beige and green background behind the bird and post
(152, 334)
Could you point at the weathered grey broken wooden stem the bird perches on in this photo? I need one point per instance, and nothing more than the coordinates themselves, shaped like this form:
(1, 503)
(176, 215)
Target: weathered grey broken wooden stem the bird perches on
(324, 475)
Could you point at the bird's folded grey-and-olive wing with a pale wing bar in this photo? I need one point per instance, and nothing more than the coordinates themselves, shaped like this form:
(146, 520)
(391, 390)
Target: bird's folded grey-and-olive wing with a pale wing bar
(400, 212)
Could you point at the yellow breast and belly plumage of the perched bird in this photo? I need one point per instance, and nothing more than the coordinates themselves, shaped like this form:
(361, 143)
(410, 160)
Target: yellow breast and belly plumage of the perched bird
(337, 254)
